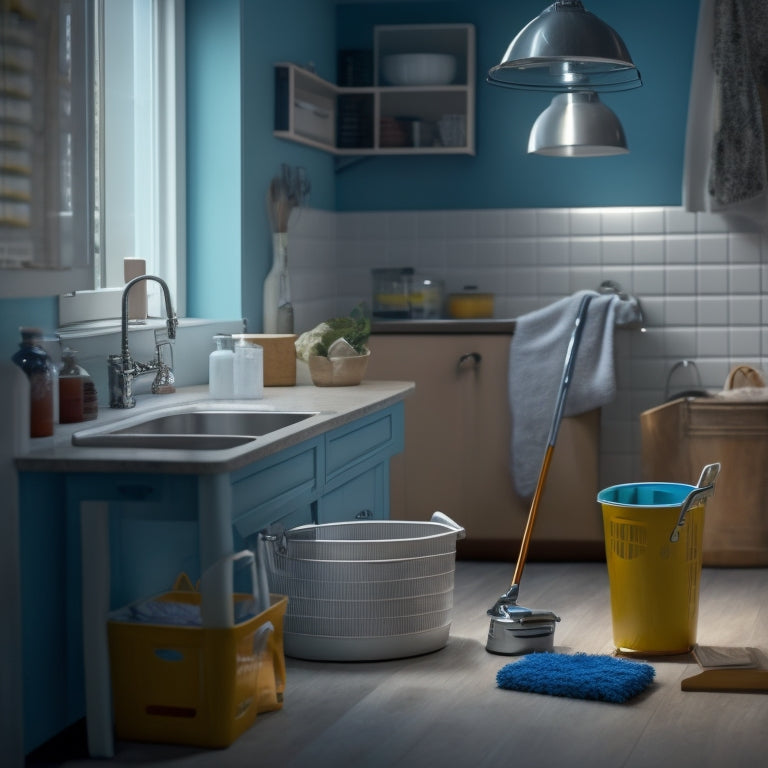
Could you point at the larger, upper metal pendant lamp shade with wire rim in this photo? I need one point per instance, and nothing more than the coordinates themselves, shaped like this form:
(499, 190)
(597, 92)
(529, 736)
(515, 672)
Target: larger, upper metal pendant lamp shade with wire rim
(566, 48)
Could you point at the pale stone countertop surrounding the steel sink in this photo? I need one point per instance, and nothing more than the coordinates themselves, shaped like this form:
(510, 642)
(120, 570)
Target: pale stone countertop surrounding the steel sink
(335, 406)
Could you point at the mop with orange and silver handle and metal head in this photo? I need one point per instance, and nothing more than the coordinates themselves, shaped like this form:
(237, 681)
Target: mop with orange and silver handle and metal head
(515, 629)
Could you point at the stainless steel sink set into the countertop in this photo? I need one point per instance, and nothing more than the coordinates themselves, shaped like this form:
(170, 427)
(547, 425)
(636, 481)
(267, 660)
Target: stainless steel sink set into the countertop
(192, 430)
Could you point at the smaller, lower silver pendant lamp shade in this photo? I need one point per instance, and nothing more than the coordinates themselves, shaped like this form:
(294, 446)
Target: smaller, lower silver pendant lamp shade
(577, 125)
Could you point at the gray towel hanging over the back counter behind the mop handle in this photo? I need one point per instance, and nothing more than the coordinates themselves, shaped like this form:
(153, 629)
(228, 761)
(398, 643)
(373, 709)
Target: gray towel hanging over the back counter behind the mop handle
(536, 361)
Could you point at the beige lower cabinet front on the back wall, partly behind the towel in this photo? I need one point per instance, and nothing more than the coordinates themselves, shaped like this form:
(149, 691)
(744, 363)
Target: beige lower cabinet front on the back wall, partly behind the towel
(457, 449)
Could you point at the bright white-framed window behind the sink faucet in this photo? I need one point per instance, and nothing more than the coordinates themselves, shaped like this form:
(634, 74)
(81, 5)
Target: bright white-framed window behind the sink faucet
(138, 181)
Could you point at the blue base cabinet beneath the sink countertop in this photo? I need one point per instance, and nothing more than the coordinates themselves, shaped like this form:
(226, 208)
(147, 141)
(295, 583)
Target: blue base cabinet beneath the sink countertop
(154, 526)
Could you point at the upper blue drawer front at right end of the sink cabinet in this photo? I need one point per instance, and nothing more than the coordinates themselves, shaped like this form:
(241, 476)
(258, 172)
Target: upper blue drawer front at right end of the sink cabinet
(361, 441)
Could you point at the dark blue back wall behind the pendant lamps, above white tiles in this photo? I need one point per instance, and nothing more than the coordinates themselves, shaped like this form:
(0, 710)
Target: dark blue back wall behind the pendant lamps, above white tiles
(660, 36)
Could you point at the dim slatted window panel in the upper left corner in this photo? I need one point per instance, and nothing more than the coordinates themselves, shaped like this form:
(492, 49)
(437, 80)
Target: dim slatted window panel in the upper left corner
(44, 138)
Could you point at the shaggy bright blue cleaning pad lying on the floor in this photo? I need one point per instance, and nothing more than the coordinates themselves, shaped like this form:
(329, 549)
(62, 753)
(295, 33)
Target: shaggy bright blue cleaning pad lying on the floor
(580, 676)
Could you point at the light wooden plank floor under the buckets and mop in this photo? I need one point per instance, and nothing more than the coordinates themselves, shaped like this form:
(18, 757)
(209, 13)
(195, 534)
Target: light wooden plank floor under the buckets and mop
(444, 709)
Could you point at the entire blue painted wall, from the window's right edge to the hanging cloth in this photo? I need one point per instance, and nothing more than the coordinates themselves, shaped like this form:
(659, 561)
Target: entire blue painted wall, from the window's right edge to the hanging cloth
(231, 153)
